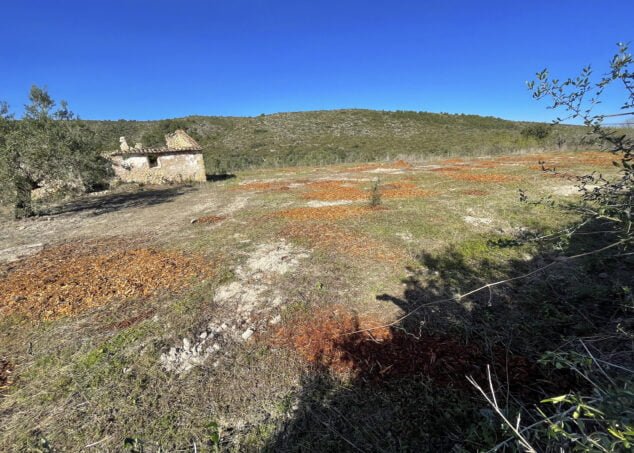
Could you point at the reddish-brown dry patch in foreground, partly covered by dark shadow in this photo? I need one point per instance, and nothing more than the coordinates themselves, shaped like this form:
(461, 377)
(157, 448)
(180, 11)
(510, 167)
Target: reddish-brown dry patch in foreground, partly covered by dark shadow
(335, 339)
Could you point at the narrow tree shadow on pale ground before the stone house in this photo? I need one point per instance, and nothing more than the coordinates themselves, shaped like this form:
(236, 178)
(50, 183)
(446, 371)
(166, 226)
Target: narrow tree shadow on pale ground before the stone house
(104, 204)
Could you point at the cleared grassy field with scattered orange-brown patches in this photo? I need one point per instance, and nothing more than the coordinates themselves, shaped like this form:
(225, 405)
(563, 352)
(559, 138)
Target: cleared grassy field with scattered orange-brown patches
(266, 311)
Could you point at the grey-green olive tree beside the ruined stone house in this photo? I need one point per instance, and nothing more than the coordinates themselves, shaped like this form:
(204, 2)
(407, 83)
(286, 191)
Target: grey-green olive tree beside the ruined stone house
(49, 145)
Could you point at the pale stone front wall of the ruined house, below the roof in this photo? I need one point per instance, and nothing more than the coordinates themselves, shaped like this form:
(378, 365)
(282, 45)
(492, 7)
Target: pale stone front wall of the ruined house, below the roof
(171, 167)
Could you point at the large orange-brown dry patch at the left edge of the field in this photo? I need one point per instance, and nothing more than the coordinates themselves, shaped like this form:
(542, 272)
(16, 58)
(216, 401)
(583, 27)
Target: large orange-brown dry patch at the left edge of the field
(71, 278)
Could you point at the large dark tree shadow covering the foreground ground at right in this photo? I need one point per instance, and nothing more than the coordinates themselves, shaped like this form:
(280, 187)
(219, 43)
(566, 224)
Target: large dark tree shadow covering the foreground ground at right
(406, 388)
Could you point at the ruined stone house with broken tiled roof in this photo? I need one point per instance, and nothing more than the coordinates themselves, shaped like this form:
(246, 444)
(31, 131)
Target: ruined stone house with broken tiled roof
(180, 160)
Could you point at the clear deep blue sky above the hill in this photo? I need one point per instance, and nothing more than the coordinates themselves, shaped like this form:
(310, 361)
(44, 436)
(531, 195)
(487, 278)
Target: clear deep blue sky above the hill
(142, 59)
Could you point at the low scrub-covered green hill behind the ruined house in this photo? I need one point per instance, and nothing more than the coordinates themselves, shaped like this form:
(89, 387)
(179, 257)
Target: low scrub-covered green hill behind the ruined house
(324, 137)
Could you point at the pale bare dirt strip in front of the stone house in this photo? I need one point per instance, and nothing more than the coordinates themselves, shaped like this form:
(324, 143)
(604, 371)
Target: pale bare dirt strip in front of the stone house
(157, 214)
